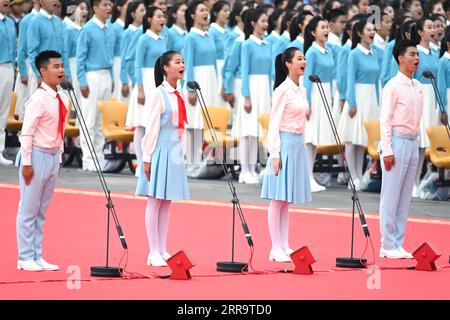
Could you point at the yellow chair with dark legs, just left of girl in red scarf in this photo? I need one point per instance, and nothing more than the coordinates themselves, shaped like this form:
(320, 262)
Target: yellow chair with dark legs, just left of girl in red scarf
(114, 114)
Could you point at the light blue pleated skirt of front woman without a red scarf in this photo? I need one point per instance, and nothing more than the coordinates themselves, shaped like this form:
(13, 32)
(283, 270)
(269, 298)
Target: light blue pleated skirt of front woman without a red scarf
(292, 182)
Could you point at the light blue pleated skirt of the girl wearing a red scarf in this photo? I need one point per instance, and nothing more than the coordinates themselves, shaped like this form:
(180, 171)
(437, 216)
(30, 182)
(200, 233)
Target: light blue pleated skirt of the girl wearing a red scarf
(168, 179)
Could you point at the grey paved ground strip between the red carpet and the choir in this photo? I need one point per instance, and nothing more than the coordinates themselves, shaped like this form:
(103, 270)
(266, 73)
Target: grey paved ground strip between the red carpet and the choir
(335, 197)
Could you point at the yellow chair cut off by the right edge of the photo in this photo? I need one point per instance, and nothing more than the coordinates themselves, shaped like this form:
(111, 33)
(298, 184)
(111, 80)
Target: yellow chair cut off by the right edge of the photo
(439, 146)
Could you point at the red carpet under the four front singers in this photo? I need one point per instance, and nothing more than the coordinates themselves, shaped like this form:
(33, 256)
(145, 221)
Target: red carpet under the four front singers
(75, 235)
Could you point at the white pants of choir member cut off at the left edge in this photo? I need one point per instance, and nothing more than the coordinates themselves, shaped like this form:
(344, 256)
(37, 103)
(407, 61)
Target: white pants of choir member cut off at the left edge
(6, 87)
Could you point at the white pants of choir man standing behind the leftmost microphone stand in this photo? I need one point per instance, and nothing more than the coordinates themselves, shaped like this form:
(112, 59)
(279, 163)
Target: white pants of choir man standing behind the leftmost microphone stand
(100, 85)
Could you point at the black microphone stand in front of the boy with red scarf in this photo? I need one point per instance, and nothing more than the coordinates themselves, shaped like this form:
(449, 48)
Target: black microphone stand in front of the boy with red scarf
(98, 271)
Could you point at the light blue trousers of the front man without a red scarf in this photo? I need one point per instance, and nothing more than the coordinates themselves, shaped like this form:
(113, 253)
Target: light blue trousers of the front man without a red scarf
(396, 190)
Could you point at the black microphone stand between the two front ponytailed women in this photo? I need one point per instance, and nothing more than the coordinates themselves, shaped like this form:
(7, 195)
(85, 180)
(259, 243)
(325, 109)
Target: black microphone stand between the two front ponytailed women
(225, 266)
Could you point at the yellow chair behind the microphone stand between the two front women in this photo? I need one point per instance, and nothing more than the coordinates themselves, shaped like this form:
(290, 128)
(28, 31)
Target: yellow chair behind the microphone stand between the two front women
(219, 118)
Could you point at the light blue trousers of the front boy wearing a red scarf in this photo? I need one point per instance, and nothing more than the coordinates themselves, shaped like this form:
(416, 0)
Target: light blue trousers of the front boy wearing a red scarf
(34, 201)
